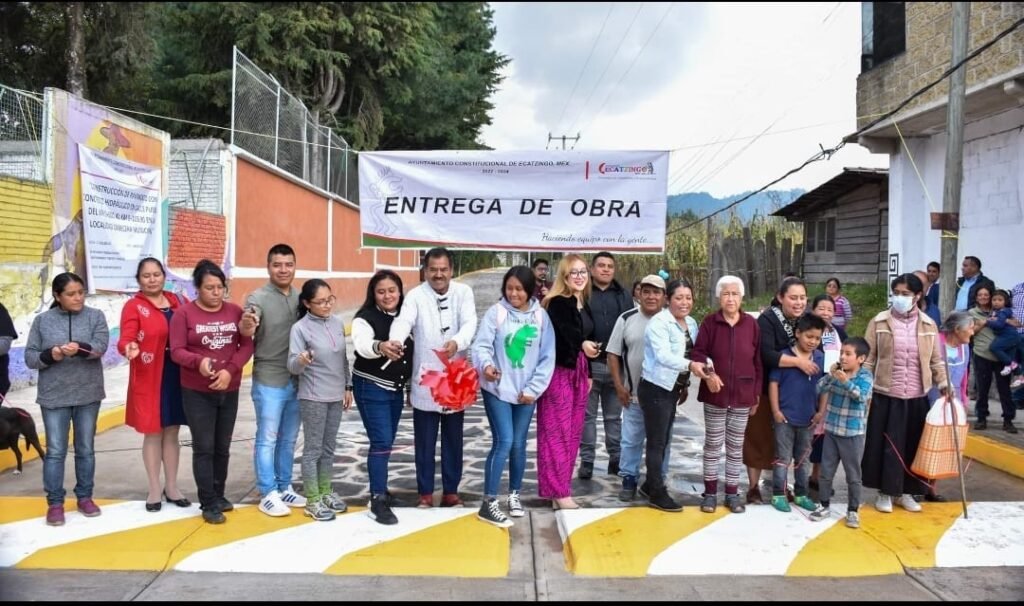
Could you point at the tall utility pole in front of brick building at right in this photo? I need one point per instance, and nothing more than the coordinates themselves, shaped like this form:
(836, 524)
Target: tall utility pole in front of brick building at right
(949, 222)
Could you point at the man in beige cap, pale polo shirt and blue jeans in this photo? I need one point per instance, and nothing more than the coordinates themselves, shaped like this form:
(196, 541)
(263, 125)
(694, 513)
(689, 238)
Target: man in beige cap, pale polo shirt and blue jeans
(625, 362)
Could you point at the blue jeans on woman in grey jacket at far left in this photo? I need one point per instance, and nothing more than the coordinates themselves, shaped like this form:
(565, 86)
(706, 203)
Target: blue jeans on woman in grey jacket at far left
(58, 422)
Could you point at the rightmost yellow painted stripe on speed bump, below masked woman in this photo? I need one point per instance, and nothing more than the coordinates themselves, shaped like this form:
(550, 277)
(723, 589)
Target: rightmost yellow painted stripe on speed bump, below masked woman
(912, 537)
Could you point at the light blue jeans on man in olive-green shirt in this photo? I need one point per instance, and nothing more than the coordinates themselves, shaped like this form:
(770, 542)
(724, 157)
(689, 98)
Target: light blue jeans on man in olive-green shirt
(278, 421)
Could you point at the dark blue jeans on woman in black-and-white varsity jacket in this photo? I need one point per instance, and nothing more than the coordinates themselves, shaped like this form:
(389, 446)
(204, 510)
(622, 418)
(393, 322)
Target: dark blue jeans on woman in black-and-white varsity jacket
(380, 411)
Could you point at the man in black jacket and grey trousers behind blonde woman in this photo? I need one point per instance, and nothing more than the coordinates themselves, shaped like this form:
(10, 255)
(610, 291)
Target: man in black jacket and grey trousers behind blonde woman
(609, 300)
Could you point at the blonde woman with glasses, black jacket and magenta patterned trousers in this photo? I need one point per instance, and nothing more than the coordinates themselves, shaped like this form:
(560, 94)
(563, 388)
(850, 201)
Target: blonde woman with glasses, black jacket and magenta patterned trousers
(562, 409)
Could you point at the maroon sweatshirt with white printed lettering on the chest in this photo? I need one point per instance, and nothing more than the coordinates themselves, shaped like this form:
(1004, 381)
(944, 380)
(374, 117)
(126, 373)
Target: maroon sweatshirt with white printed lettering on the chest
(196, 334)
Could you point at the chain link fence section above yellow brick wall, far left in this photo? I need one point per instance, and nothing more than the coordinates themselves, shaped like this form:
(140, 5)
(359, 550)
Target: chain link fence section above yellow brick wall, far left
(22, 136)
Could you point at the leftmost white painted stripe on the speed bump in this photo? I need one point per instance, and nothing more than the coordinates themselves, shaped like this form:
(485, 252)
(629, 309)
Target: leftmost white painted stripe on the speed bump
(21, 540)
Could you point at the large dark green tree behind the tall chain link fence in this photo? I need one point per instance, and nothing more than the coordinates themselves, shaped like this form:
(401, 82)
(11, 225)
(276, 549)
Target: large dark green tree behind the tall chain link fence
(405, 75)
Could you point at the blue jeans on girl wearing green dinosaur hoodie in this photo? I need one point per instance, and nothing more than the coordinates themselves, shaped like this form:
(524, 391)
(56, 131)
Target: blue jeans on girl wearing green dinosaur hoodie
(509, 426)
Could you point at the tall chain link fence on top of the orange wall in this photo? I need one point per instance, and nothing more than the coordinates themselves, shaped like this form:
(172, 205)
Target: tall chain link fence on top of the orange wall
(274, 125)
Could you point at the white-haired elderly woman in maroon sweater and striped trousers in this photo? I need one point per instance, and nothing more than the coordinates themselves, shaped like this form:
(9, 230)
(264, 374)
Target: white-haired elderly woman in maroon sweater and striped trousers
(728, 359)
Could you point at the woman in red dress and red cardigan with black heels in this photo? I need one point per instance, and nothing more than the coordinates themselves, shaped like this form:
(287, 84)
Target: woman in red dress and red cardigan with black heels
(154, 407)
